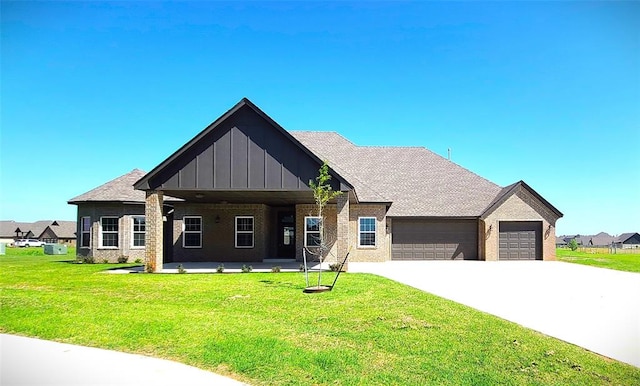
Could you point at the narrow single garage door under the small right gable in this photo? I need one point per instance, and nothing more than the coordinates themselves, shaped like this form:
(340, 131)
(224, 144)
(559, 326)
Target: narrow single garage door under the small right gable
(520, 240)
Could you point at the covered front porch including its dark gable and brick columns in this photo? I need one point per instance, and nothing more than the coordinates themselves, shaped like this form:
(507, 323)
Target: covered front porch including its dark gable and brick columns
(243, 190)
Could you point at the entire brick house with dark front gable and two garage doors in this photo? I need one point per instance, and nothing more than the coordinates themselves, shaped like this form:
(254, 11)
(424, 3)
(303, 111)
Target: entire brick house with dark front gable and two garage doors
(239, 191)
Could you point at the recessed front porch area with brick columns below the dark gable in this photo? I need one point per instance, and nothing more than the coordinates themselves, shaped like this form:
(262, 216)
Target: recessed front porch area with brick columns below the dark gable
(210, 230)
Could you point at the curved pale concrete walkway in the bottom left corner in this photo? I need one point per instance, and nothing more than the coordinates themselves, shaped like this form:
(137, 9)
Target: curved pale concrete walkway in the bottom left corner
(28, 361)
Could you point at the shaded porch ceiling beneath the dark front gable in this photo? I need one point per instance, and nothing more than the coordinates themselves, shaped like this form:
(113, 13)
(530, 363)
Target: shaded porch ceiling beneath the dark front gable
(245, 196)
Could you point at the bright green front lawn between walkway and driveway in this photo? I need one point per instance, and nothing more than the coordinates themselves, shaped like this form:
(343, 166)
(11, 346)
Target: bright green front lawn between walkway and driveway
(261, 329)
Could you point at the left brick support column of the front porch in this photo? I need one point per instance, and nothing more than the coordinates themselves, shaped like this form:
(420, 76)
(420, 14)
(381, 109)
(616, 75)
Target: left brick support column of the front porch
(153, 236)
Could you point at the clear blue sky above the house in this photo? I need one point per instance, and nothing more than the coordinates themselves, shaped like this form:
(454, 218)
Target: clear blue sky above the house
(545, 92)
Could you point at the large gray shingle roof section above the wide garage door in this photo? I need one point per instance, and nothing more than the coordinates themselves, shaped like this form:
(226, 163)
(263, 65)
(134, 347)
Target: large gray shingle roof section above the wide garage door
(417, 181)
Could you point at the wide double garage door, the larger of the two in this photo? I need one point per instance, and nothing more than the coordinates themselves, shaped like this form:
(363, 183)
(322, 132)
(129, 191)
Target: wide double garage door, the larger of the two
(434, 240)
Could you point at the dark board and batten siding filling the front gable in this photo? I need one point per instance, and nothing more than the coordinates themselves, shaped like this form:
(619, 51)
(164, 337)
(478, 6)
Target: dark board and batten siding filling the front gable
(243, 153)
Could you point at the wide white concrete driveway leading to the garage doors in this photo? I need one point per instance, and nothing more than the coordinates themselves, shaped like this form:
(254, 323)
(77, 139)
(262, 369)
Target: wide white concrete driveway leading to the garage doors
(595, 308)
